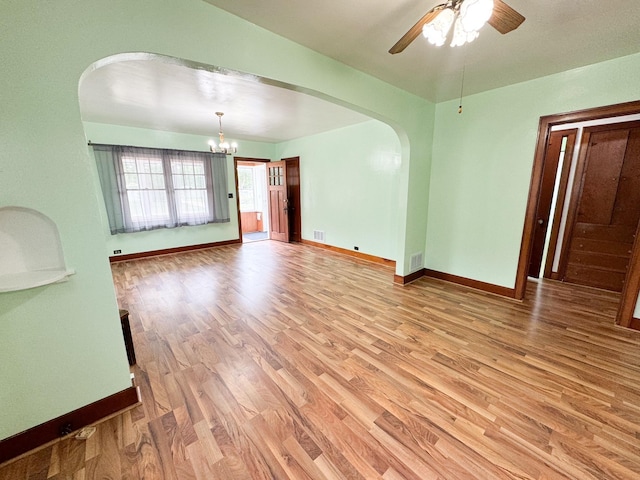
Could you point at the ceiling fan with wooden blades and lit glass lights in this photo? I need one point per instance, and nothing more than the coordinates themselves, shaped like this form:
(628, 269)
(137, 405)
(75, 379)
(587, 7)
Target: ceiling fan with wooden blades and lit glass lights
(466, 17)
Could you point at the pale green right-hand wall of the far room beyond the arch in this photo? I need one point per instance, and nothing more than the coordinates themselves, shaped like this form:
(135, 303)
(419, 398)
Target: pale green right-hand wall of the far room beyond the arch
(350, 181)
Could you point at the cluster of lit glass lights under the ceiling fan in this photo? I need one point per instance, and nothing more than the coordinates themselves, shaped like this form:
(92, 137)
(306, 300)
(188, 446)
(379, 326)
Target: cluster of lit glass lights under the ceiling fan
(467, 18)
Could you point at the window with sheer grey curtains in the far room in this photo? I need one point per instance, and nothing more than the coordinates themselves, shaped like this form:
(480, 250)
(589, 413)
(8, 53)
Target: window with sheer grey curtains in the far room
(148, 188)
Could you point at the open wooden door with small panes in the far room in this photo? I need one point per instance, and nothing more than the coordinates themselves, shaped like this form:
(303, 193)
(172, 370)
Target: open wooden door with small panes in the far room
(278, 201)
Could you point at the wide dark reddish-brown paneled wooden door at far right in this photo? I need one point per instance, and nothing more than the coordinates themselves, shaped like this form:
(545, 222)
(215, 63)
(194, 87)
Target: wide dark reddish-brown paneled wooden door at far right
(607, 207)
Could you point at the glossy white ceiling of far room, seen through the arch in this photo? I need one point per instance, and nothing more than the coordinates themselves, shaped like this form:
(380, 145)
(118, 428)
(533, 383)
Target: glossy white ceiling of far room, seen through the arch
(163, 94)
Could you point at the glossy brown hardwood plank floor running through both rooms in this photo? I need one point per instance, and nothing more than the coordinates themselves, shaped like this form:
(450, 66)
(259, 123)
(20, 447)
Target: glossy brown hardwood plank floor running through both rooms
(278, 361)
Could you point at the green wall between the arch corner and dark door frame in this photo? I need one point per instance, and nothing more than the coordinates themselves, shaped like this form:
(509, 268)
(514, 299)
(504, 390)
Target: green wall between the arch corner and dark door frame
(482, 162)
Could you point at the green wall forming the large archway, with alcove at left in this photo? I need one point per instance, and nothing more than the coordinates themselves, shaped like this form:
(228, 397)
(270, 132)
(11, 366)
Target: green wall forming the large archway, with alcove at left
(61, 345)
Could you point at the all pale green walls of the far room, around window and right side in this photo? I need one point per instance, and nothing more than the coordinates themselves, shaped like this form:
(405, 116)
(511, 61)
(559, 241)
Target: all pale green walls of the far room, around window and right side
(350, 184)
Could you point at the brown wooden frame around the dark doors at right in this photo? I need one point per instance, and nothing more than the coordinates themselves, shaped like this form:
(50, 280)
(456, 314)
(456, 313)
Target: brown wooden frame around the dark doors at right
(629, 294)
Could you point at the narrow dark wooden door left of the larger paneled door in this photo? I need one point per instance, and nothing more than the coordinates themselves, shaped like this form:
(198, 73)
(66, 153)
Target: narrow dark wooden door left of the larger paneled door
(559, 147)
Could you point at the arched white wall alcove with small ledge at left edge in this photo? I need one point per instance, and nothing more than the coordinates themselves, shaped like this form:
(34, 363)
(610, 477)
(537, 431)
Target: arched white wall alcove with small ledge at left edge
(30, 250)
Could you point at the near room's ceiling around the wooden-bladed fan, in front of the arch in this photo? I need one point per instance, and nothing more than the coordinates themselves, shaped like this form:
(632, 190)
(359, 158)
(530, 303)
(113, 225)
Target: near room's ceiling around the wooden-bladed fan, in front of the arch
(557, 35)
